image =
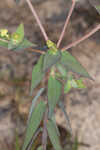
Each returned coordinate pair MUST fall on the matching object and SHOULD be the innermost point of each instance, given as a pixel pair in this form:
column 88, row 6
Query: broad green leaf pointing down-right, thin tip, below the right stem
column 71, row 64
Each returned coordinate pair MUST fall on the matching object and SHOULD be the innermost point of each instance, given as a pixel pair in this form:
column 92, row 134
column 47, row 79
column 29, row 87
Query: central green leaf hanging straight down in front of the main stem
column 54, row 92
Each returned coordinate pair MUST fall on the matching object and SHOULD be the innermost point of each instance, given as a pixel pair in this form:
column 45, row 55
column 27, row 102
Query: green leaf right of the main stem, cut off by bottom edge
column 53, row 135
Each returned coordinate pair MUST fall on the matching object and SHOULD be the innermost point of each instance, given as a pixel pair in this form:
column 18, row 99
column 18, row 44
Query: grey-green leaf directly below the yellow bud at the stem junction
column 50, row 59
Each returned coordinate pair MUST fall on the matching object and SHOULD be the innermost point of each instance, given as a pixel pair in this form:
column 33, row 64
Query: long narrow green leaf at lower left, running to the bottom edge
column 34, row 123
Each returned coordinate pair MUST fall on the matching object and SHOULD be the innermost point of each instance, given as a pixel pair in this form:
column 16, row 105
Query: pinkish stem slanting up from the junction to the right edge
column 81, row 39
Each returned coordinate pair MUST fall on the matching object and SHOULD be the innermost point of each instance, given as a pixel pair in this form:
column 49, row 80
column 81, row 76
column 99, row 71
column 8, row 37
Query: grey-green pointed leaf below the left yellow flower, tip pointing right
column 24, row 44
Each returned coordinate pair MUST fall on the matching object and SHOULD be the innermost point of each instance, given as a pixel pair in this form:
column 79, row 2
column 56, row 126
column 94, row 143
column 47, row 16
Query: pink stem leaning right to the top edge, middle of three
column 66, row 23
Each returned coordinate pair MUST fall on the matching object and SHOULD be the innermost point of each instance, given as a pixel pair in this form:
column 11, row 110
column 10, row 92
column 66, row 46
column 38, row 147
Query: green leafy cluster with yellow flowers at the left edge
column 16, row 40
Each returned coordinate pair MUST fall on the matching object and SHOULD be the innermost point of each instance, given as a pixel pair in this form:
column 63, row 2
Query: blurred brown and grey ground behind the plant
column 83, row 106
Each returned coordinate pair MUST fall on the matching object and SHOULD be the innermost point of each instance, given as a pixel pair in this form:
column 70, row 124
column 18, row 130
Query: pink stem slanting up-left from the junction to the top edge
column 37, row 19
